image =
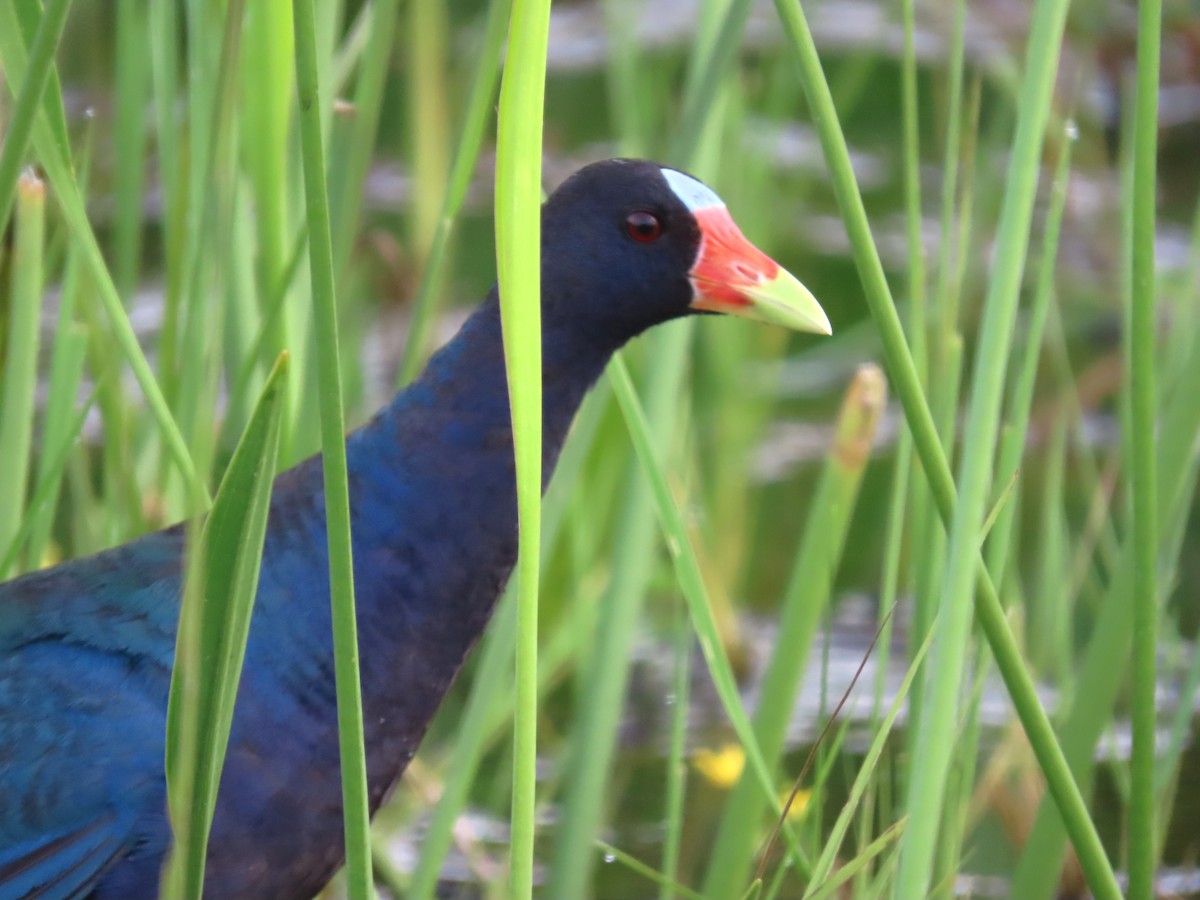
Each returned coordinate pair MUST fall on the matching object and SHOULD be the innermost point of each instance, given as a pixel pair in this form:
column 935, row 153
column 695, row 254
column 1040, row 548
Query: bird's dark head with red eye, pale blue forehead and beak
column 628, row 244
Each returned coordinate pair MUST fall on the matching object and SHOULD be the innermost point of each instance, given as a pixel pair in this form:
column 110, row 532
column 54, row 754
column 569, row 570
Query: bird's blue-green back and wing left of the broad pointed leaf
column 86, row 652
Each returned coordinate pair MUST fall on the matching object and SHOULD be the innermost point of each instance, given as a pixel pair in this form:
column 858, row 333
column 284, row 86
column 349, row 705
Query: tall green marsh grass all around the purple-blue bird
column 656, row 553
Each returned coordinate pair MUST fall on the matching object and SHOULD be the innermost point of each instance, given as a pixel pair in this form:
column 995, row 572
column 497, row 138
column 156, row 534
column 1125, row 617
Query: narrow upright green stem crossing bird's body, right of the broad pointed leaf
column 338, row 495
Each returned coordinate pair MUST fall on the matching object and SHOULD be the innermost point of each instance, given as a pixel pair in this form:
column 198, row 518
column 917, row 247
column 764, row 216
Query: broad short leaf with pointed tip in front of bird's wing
column 212, row 644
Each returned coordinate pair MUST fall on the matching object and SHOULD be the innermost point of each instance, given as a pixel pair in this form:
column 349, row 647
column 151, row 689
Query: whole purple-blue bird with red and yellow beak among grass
column 87, row 646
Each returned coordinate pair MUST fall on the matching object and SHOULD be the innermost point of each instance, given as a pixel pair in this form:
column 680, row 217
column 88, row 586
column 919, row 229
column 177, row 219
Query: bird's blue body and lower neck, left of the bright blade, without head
column 87, row 651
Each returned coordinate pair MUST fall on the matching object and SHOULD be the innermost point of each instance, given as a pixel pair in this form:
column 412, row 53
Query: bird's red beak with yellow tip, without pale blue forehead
column 734, row 277
